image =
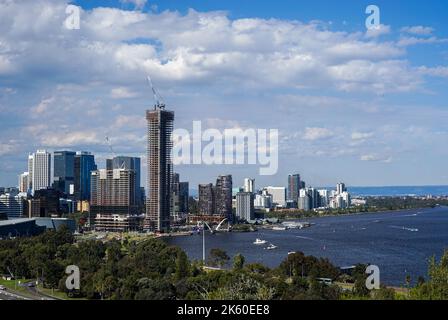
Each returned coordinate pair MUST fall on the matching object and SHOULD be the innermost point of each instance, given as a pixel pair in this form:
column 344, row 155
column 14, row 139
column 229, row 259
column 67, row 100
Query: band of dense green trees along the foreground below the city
column 154, row 270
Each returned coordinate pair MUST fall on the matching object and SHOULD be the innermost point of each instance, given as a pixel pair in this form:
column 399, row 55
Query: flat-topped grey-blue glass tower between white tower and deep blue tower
column 64, row 171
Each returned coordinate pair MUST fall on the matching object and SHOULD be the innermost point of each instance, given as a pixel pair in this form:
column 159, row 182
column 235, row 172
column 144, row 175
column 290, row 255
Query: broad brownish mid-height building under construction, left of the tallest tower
column 113, row 200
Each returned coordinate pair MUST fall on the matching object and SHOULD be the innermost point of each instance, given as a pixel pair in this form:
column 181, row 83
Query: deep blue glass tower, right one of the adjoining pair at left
column 84, row 165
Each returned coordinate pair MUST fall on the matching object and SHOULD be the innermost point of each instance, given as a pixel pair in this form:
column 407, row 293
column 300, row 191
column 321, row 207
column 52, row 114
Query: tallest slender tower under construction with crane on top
column 159, row 202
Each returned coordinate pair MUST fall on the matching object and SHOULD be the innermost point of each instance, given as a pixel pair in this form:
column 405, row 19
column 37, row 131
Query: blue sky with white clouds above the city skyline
column 365, row 107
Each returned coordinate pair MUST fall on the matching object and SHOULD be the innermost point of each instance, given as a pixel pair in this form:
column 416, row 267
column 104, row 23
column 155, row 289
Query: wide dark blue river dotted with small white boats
column 383, row 239
